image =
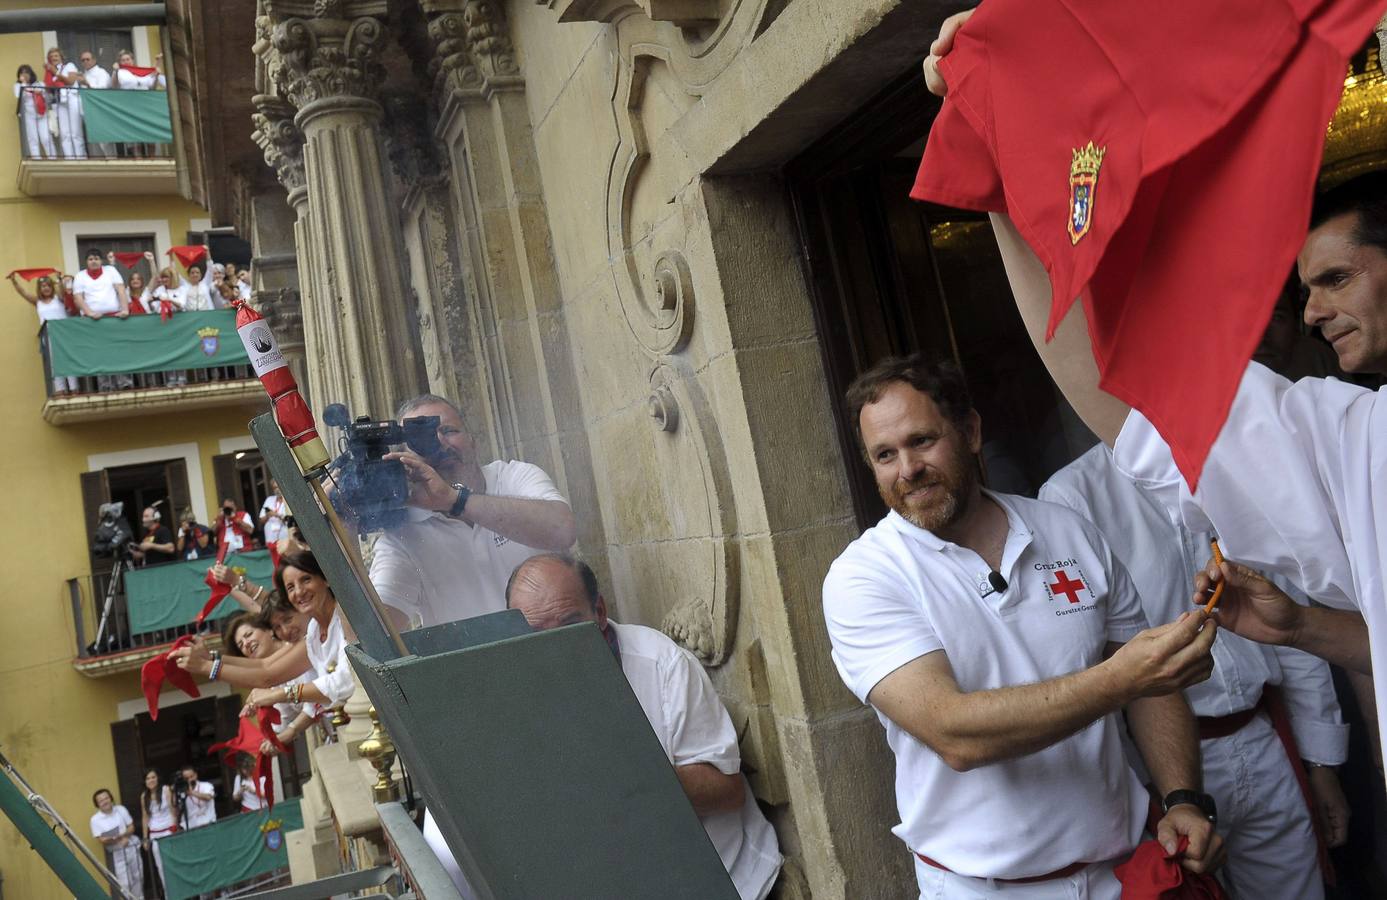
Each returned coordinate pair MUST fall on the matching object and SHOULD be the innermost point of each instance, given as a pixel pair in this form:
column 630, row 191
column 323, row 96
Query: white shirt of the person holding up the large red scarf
column 1296, row 485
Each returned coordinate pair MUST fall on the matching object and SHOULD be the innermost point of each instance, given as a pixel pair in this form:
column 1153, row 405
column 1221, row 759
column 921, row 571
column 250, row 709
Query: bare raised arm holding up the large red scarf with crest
column 1069, row 356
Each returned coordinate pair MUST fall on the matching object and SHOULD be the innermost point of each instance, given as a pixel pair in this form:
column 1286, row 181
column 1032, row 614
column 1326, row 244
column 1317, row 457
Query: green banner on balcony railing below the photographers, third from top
column 173, row 596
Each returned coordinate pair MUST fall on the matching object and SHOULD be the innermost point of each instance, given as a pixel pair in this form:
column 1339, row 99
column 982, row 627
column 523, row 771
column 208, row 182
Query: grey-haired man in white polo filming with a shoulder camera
column 471, row 528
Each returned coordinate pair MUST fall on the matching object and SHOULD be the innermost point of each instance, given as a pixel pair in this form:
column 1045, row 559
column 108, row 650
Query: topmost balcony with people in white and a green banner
column 87, row 130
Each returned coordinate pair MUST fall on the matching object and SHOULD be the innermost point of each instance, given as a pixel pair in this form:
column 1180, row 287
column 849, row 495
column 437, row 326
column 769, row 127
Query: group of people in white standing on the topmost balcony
column 51, row 107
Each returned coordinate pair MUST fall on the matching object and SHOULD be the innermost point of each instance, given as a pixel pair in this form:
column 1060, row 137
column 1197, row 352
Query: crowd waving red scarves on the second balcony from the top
column 112, row 285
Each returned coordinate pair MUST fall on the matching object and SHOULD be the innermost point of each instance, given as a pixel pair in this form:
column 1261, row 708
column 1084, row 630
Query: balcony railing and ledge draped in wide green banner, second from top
column 112, row 368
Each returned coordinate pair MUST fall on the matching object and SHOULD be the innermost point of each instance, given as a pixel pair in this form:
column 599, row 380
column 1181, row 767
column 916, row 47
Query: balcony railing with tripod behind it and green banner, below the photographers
column 119, row 628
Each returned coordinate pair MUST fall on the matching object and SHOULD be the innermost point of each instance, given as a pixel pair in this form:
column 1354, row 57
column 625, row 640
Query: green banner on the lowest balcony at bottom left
column 232, row 849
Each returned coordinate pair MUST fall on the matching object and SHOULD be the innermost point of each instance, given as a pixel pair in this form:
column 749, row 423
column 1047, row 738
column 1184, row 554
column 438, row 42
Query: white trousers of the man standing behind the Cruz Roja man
column 1263, row 816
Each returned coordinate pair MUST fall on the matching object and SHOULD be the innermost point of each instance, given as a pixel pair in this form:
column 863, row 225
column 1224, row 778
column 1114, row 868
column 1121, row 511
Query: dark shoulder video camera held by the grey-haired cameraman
column 374, row 489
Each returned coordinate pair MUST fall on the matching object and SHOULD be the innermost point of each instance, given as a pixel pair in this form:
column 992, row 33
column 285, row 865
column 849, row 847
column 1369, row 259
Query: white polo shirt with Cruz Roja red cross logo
column 899, row 593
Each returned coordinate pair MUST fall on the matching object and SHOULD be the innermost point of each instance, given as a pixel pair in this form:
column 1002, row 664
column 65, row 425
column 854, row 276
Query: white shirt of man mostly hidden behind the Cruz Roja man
column 1162, row 555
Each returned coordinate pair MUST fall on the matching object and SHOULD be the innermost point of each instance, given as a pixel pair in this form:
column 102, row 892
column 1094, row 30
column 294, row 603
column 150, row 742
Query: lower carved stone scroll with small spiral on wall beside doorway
column 703, row 623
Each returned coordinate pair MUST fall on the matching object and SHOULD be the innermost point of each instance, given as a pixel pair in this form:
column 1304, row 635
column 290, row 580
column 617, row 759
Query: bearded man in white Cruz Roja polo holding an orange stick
column 998, row 639
